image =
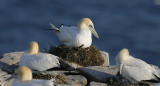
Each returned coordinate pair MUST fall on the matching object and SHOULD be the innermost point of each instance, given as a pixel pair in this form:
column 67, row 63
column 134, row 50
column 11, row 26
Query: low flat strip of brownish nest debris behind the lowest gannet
column 59, row 79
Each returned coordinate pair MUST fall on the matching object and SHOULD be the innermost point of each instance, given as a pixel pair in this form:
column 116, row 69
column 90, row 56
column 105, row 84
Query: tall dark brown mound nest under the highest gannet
column 82, row 56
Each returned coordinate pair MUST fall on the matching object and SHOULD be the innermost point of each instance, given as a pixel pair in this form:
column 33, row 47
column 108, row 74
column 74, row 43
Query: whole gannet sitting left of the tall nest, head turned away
column 36, row 60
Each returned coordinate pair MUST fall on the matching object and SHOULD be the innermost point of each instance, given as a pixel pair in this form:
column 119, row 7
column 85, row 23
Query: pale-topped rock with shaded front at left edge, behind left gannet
column 8, row 62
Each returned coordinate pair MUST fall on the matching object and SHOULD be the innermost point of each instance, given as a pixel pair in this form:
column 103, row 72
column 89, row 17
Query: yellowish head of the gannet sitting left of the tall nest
column 33, row 48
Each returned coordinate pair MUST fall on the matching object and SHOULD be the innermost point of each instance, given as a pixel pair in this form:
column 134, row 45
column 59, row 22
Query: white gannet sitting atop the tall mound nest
column 76, row 36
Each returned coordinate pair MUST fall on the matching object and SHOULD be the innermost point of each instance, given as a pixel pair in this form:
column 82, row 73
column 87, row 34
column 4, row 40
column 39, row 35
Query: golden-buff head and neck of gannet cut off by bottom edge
column 24, row 73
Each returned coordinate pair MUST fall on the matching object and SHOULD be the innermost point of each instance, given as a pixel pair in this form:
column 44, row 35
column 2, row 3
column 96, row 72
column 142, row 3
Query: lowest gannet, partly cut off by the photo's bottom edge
column 23, row 77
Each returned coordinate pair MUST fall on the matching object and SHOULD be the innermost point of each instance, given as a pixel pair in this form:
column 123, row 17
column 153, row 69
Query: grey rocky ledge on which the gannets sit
column 103, row 75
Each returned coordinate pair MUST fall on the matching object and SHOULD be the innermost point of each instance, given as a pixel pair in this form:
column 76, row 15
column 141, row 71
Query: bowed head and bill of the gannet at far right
column 121, row 57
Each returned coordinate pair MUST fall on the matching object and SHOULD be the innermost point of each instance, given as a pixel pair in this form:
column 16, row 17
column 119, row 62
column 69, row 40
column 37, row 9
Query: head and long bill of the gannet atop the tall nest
column 86, row 23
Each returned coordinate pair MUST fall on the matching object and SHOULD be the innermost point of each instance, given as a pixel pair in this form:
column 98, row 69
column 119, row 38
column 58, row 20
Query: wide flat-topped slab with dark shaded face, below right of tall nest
column 98, row 73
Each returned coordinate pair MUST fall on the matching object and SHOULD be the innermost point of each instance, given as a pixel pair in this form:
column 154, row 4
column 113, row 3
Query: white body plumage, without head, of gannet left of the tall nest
column 40, row 61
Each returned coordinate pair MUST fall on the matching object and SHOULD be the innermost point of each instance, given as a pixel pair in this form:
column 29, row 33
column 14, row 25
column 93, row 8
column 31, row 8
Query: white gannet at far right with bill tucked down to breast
column 134, row 69
